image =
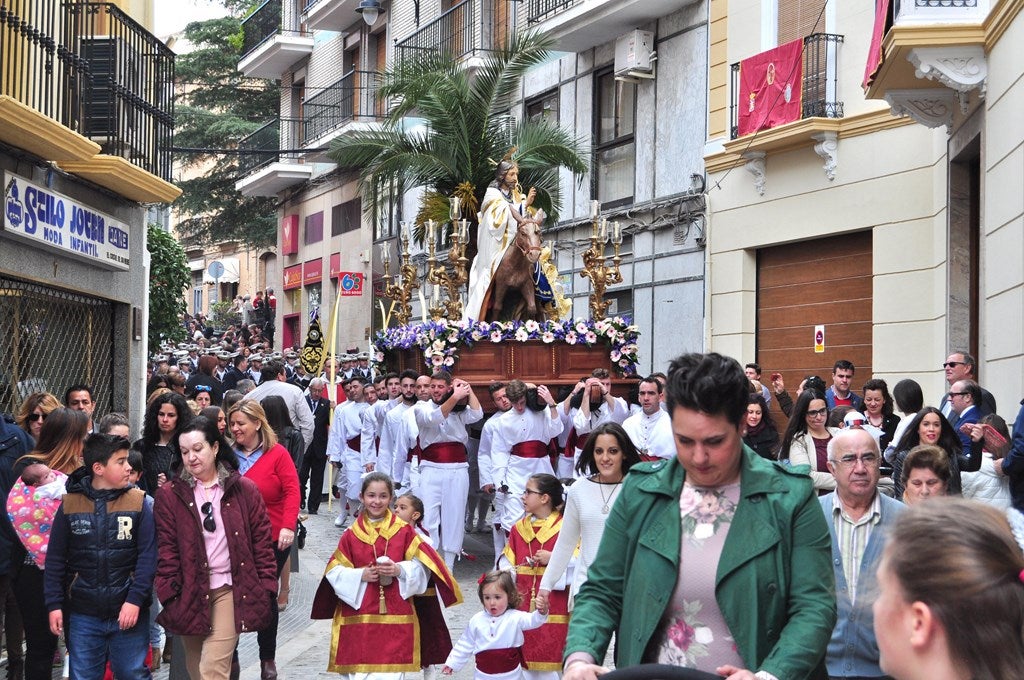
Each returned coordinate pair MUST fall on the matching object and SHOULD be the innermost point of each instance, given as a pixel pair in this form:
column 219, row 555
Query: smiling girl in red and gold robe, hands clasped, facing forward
column 380, row 565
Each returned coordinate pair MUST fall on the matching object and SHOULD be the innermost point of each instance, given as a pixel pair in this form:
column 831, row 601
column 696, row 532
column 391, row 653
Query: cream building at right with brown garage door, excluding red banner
column 875, row 227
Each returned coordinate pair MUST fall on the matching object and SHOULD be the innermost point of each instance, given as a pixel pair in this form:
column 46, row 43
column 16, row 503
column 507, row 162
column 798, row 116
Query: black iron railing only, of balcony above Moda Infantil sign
column 95, row 70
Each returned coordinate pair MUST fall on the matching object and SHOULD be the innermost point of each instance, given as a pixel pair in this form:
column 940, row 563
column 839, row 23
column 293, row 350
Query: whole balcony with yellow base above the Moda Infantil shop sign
column 78, row 79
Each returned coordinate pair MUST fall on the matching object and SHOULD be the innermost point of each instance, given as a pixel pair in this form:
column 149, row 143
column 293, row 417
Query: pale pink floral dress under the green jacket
column 693, row 632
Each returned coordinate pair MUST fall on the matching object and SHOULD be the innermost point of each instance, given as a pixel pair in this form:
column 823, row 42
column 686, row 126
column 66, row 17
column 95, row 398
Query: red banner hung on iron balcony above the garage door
column 771, row 93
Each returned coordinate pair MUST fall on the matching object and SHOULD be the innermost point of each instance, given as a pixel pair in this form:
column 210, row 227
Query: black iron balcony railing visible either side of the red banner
column 821, row 84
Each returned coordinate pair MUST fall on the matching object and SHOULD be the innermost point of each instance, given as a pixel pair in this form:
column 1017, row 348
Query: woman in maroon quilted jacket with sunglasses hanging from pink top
column 217, row 575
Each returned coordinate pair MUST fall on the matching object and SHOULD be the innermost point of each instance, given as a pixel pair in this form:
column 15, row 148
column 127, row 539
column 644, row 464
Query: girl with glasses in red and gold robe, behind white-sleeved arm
column 529, row 549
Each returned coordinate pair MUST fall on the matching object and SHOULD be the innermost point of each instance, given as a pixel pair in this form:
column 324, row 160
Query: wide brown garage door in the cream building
column 827, row 282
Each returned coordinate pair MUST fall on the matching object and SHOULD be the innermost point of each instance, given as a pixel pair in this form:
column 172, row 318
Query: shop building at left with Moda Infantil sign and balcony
column 87, row 126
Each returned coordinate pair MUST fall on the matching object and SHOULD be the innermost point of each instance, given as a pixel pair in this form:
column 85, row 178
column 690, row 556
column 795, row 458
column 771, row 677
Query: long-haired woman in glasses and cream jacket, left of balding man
column 806, row 439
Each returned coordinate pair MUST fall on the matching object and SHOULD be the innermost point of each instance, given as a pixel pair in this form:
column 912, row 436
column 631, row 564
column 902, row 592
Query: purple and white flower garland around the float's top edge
column 441, row 342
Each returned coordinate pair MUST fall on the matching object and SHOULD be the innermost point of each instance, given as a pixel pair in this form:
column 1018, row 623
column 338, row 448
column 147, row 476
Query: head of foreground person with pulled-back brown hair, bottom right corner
column 951, row 570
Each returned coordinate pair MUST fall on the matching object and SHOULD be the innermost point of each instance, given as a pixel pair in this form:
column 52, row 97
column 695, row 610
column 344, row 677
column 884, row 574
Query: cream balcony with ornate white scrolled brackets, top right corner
column 931, row 60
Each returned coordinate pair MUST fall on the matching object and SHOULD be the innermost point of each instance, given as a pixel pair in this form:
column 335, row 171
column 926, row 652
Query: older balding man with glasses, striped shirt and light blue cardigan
column 859, row 518
